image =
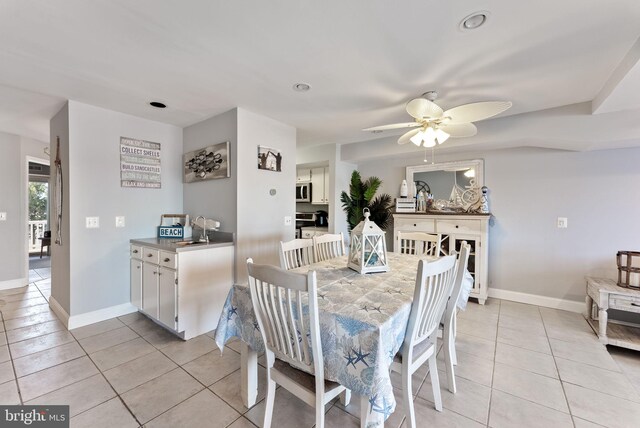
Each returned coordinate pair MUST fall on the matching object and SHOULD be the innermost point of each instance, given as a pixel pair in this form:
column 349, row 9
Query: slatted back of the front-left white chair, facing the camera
column 278, row 300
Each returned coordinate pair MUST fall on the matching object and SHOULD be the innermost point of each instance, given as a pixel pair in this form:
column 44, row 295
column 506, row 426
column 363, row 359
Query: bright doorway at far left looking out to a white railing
column 39, row 231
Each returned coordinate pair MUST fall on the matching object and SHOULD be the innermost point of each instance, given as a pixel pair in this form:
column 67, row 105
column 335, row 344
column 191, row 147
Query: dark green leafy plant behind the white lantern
column 362, row 195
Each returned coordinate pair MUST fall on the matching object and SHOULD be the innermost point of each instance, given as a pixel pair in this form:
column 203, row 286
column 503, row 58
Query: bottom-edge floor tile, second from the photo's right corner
column 508, row 411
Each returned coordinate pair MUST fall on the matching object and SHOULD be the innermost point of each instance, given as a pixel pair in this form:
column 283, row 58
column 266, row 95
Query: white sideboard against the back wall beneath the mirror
column 454, row 228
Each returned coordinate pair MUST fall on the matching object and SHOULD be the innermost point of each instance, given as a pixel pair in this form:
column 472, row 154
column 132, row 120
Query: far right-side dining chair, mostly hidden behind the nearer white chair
column 449, row 319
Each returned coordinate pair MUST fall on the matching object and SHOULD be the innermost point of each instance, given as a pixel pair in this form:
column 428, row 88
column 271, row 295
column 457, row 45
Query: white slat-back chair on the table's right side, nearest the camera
column 434, row 284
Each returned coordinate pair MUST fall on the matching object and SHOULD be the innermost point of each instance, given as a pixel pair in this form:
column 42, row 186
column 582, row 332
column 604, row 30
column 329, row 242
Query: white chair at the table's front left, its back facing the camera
column 294, row 360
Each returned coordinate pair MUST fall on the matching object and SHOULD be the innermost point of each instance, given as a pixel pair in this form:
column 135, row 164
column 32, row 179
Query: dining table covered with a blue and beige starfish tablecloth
column 363, row 320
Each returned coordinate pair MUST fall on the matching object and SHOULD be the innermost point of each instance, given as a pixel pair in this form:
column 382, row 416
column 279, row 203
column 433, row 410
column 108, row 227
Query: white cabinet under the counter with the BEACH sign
column 183, row 289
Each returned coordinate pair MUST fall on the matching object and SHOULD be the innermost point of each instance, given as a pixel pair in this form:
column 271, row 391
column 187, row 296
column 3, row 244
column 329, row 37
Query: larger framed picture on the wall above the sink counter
column 206, row 164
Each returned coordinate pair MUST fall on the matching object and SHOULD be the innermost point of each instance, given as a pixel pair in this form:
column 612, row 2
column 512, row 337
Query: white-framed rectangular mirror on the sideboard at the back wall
column 449, row 186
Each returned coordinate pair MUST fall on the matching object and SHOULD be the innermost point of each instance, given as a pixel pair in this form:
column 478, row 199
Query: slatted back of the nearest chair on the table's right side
column 434, row 284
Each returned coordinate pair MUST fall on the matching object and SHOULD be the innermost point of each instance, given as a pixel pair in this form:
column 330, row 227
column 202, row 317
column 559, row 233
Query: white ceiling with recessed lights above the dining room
column 364, row 59
